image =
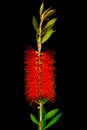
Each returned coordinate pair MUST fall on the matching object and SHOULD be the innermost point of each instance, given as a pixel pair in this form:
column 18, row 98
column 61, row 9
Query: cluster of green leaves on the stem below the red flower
column 51, row 115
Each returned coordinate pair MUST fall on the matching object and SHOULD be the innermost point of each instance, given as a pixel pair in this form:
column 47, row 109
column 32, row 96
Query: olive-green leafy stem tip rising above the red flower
column 43, row 33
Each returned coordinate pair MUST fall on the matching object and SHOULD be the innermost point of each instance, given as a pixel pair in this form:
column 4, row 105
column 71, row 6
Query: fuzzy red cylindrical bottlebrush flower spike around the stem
column 39, row 75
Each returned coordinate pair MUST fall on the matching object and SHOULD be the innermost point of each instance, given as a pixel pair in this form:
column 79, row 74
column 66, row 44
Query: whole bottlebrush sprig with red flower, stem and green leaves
column 40, row 71
